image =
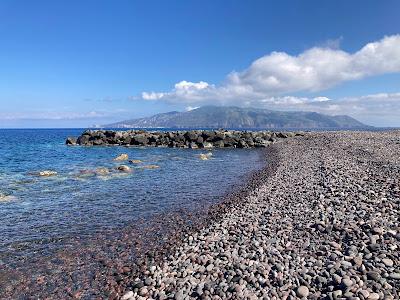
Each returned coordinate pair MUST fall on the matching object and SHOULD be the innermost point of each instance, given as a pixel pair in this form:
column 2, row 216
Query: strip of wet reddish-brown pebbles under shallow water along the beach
column 83, row 257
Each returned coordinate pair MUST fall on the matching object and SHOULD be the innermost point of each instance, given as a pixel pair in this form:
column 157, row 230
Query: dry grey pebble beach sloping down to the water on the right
column 321, row 223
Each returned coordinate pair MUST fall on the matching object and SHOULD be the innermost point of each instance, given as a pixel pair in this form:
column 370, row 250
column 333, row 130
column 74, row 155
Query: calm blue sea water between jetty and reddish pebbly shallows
column 38, row 213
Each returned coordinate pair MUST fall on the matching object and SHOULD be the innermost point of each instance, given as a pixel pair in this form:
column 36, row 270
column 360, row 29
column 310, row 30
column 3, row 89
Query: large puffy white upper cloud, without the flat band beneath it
column 279, row 73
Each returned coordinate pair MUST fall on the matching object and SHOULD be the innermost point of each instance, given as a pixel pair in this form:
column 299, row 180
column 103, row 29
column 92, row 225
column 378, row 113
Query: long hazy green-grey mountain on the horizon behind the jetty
column 235, row 117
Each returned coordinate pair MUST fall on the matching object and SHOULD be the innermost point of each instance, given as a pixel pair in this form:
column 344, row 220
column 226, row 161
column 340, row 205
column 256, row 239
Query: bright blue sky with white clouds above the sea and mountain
column 80, row 63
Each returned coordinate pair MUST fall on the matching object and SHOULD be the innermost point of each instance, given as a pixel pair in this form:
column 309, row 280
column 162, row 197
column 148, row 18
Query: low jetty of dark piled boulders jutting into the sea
column 181, row 139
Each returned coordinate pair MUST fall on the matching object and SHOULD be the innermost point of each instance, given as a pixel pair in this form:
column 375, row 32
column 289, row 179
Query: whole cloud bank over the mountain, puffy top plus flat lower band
column 272, row 80
